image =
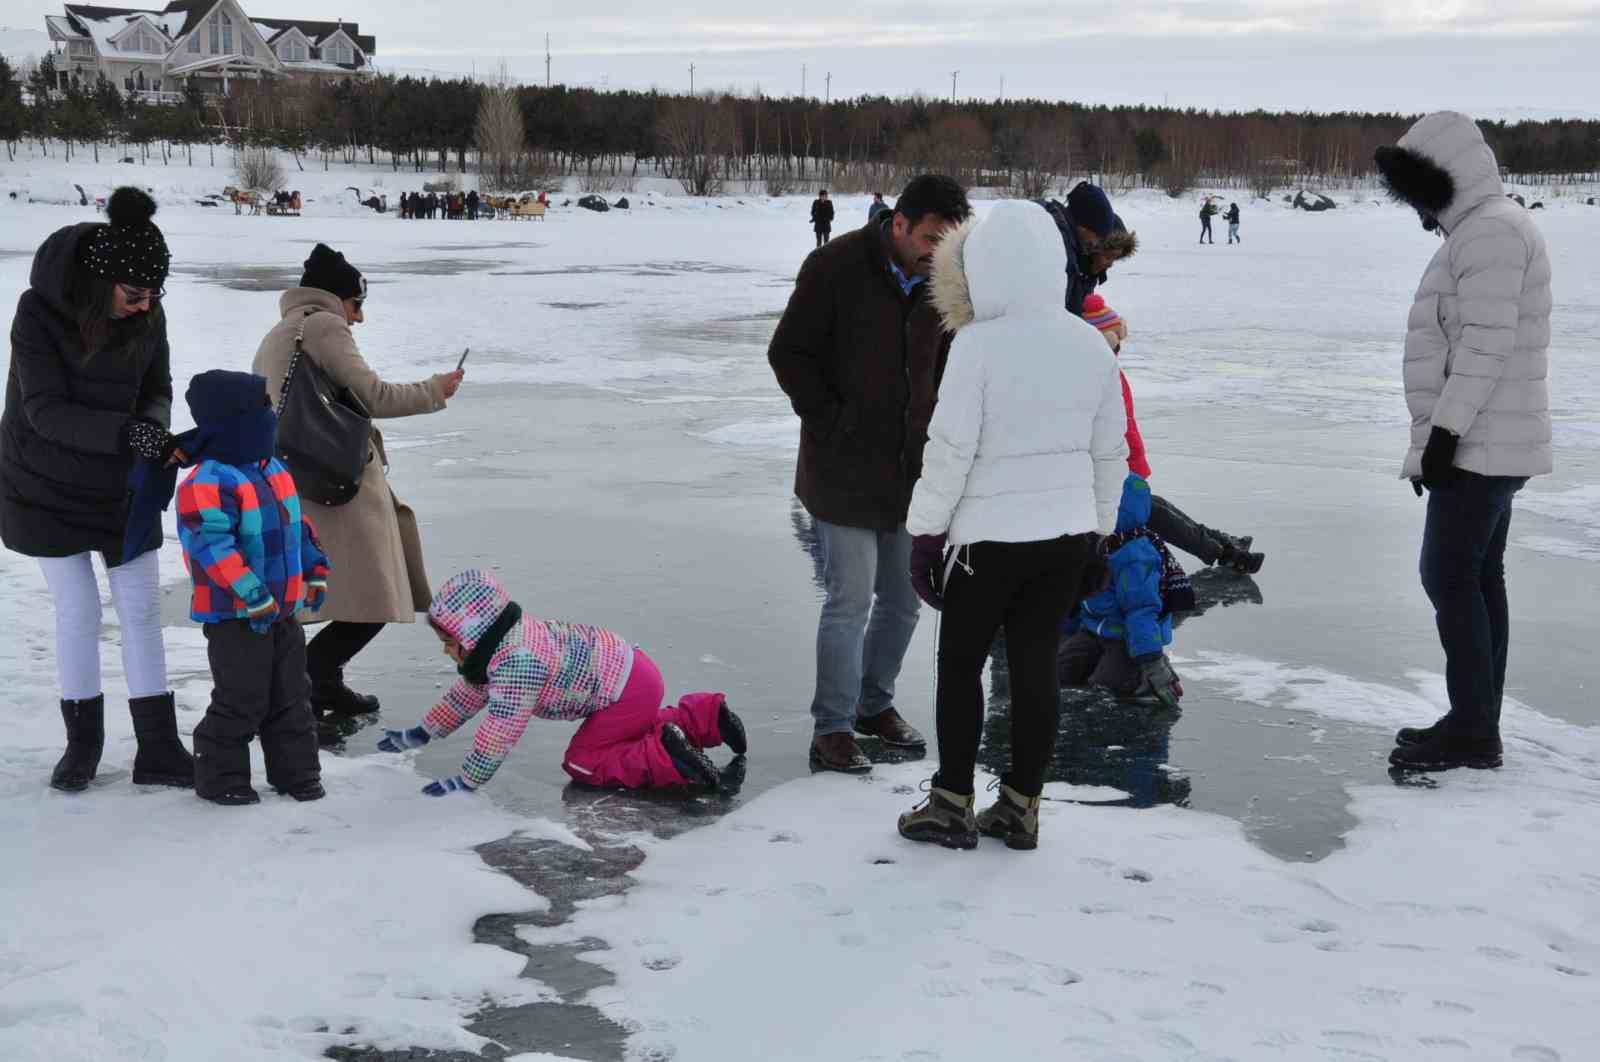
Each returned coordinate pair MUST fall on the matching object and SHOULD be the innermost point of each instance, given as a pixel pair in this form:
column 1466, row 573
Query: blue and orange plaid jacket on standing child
column 246, row 541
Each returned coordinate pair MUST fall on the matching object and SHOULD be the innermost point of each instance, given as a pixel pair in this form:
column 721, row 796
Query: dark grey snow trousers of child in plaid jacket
column 262, row 692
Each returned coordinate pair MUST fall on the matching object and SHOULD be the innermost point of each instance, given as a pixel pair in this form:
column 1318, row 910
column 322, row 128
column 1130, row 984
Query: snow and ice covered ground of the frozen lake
column 622, row 453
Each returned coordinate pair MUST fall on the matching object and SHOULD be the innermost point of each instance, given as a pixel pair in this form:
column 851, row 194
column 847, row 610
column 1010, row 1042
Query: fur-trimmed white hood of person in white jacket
column 1004, row 265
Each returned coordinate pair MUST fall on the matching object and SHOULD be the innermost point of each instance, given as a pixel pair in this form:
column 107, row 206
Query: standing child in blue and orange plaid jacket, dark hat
column 255, row 562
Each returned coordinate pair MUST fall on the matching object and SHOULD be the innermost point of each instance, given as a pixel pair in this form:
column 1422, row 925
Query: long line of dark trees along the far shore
column 780, row 145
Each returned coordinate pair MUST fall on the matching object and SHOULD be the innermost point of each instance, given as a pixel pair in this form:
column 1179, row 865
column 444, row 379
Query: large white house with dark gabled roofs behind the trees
column 156, row 54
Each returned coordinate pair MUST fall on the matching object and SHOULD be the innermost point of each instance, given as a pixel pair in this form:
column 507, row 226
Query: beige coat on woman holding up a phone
column 372, row 541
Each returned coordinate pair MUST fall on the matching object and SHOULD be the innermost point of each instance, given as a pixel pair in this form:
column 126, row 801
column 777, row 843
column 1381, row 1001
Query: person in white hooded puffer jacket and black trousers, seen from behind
column 1025, row 463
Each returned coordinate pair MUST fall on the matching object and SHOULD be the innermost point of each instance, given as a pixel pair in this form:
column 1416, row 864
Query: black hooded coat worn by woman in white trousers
column 63, row 461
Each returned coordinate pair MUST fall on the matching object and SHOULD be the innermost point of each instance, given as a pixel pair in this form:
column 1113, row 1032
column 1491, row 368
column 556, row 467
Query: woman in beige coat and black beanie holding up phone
column 374, row 543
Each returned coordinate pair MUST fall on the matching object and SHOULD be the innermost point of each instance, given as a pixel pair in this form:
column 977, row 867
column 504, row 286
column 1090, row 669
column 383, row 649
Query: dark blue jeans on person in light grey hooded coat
column 1465, row 577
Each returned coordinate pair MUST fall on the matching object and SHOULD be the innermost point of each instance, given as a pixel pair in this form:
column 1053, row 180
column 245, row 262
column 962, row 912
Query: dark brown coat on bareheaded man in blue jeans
column 860, row 362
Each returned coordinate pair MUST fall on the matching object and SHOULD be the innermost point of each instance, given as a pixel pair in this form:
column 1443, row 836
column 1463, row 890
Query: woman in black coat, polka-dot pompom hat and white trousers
column 90, row 388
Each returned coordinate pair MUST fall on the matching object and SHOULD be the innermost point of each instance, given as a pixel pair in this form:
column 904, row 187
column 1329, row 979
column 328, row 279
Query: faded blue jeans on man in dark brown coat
column 868, row 621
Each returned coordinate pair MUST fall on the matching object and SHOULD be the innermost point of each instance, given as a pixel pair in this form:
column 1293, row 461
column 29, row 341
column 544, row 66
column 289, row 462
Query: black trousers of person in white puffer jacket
column 1028, row 588
